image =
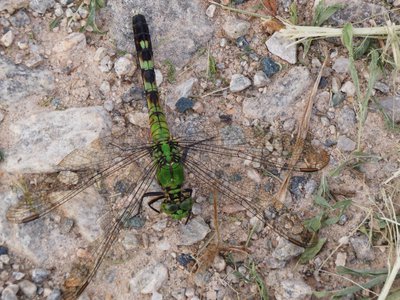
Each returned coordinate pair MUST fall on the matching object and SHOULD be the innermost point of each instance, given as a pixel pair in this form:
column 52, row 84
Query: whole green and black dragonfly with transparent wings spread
column 165, row 157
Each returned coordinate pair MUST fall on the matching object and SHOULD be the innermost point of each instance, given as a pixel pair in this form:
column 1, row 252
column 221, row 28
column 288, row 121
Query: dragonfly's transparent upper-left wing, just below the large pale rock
column 77, row 171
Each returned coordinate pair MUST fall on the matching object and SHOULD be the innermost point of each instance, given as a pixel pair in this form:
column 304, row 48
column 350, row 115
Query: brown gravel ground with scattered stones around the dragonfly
column 63, row 88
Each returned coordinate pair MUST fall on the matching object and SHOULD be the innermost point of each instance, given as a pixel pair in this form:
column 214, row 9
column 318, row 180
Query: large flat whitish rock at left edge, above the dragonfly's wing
column 58, row 132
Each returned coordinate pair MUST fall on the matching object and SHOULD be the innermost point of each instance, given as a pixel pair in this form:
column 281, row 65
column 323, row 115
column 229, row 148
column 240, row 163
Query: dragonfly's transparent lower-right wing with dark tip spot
column 247, row 187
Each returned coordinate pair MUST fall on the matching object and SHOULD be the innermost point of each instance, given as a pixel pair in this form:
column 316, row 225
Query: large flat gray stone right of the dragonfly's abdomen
column 280, row 96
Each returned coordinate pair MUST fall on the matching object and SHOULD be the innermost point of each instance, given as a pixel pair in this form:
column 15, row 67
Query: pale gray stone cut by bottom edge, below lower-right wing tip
column 293, row 289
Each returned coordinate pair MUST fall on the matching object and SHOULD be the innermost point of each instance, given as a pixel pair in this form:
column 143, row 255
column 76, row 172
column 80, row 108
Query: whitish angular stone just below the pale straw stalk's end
column 282, row 47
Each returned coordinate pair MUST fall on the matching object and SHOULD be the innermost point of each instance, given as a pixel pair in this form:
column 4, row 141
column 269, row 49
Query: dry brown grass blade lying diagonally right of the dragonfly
column 301, row 136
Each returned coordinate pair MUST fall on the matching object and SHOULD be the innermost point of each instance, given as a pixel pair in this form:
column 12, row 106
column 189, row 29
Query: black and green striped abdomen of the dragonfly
column 158, row 125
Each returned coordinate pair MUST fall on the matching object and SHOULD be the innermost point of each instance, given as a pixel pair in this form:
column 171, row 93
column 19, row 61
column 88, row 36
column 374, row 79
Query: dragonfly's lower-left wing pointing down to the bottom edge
column 85, row 269
